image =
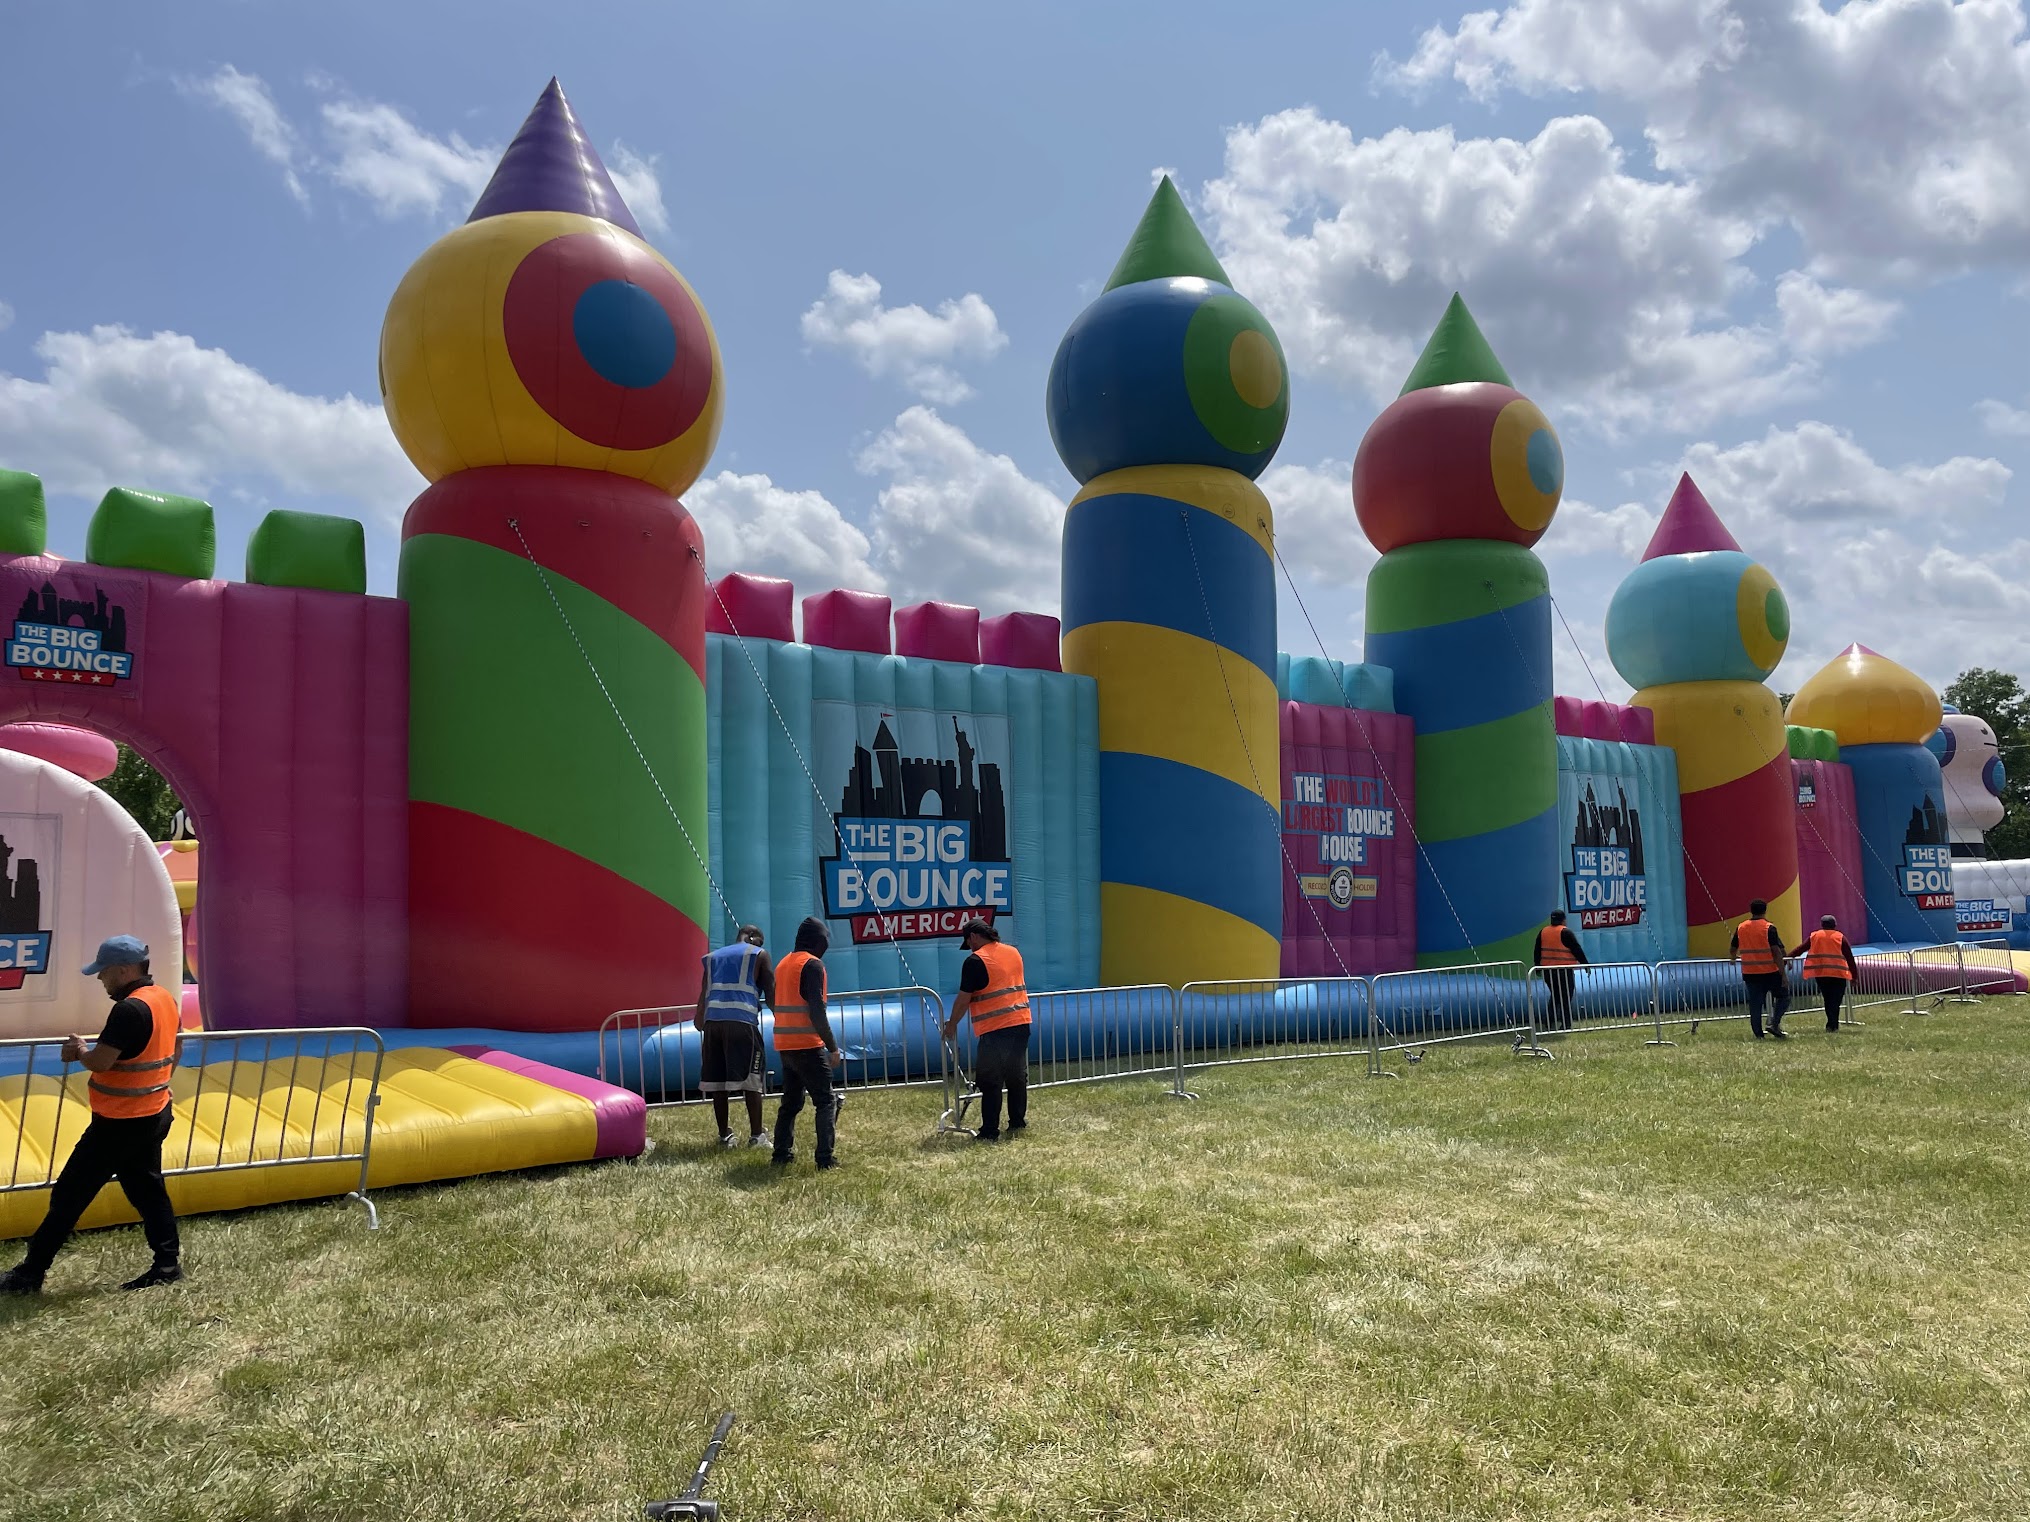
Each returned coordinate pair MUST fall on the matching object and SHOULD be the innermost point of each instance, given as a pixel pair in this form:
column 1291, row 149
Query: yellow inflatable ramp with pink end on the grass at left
column 243, row 1125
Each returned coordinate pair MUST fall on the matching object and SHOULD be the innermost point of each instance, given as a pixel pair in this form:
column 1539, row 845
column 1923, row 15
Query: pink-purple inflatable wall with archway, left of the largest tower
column 279, row 715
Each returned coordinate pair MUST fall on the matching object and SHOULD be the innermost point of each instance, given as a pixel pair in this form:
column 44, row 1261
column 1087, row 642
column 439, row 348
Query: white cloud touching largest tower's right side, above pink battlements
column 756, row 527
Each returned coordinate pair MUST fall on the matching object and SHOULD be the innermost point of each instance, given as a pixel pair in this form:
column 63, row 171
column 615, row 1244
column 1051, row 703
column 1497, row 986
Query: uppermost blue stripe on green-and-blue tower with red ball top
column 1471, row 673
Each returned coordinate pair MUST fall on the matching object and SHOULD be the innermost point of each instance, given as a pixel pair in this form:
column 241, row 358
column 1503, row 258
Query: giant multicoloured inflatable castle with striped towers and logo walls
column 576, row 752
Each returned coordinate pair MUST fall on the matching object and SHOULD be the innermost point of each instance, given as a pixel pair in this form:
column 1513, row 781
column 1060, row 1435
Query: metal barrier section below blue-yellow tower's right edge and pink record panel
column 1272, row 1020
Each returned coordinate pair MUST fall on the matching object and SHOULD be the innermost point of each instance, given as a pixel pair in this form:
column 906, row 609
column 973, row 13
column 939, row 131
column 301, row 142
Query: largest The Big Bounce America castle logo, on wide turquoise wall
column 923, row 839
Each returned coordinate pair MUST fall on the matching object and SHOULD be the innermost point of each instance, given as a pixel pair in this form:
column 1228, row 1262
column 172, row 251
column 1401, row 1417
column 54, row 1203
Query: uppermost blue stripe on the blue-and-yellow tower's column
column 1128, row 561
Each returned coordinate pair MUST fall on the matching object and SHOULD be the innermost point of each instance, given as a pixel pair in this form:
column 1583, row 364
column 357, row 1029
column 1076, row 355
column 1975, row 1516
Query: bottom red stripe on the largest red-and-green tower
column 573, row 947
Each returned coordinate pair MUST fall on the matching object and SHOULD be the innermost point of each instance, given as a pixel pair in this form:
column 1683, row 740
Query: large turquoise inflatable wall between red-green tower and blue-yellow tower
column 898, row 799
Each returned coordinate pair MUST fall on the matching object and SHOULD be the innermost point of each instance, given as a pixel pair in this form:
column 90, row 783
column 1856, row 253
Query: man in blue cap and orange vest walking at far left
column 131, row 1111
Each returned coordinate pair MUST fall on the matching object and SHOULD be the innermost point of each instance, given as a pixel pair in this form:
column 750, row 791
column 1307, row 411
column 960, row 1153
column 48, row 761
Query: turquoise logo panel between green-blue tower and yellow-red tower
column 1621, row 849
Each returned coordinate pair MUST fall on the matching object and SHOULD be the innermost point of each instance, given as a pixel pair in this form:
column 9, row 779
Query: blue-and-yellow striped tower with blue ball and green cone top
column 1168, row 399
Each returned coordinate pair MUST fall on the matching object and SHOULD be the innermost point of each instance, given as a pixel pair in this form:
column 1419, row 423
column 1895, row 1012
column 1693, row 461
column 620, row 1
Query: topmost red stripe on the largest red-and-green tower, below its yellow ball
column 616, row 537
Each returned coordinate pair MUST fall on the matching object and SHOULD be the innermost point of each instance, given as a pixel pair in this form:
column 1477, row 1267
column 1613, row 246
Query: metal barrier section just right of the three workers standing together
column 1081, row 1036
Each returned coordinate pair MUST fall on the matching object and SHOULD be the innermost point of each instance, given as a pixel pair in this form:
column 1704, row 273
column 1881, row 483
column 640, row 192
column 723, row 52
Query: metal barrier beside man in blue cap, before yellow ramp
column 243, row 1101
